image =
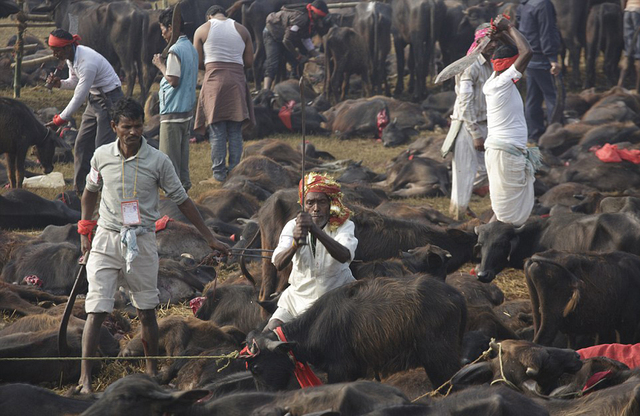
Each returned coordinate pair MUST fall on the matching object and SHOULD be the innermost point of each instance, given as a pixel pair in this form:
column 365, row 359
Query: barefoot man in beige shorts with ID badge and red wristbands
column 129, row 173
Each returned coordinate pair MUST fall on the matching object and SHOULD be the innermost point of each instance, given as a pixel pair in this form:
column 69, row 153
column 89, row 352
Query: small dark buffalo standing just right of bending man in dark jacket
column 345, row 54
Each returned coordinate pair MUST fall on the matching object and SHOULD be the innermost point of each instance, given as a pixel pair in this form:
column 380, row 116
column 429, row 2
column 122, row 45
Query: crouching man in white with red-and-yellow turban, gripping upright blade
column 322, row 263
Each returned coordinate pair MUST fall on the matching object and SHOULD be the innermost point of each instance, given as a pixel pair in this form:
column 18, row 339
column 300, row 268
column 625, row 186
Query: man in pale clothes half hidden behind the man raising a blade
column 469, row 129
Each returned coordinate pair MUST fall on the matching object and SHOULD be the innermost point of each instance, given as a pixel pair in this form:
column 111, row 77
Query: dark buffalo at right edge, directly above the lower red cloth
column 590, row 294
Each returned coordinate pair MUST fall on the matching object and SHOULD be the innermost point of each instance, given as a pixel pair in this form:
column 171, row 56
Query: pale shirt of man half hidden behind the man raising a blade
column 470, row 106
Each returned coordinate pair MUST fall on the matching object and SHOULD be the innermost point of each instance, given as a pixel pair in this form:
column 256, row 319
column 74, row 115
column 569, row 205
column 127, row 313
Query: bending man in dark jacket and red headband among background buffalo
column 288, row 34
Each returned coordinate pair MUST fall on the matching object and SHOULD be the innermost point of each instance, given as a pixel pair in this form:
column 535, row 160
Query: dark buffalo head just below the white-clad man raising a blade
column 496, row 243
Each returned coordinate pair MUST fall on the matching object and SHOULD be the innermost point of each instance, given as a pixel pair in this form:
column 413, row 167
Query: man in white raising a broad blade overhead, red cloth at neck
column 510, row 164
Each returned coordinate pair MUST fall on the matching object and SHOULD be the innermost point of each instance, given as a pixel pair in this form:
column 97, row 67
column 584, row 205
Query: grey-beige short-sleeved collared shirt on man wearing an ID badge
column 141, row 175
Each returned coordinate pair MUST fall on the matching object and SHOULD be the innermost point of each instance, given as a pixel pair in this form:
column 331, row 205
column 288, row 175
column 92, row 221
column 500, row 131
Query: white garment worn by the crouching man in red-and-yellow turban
column 313, row 276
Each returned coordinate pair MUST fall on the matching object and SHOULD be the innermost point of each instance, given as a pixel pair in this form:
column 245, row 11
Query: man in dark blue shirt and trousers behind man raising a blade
column 537, row 22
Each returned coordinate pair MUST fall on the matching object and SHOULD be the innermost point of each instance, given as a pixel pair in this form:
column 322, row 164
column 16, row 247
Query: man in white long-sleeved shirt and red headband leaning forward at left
column 90, row 75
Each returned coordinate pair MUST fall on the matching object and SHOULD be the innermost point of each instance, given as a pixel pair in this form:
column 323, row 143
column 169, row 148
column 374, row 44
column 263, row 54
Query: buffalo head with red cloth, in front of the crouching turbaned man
column 268, row 360
